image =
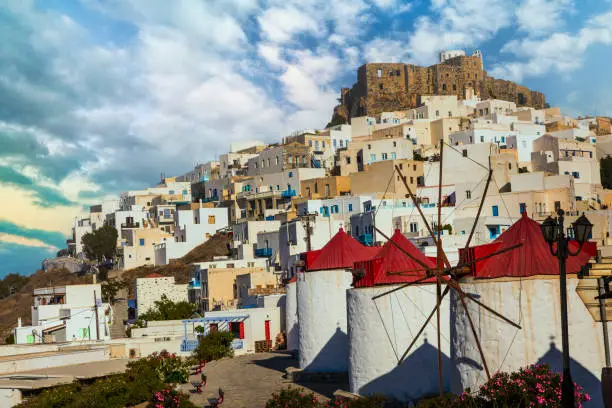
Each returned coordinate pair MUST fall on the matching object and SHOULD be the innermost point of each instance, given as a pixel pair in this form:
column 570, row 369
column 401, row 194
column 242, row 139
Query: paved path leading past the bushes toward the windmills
column 249, row 381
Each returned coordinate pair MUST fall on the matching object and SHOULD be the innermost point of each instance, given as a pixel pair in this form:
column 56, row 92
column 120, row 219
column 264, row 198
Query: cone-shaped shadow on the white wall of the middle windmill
column 416, row 377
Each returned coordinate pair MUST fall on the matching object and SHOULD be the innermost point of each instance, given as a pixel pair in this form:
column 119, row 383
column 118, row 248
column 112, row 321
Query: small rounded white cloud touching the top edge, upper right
column 541, row 16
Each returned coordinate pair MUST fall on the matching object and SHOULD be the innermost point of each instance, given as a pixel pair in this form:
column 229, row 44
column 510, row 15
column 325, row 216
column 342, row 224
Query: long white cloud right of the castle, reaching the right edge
column 558, row 52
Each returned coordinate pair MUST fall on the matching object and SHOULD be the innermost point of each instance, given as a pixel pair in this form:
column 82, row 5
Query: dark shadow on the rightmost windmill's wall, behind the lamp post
column 580, row 375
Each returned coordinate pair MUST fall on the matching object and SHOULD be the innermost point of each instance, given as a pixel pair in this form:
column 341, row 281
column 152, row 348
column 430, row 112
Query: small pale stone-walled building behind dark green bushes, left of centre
column 151, row 288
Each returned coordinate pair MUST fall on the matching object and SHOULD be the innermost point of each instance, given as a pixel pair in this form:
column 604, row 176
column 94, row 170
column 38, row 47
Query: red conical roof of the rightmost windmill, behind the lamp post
column 530, row 259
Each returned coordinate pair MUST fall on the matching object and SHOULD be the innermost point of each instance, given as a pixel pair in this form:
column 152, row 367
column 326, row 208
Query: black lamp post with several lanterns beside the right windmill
column 554, row 232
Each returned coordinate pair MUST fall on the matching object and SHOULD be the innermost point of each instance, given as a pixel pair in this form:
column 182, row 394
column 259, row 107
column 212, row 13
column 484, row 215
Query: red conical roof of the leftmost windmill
column 339, row 253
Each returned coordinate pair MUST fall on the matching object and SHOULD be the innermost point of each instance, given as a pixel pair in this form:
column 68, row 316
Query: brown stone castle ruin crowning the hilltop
column 386, row 87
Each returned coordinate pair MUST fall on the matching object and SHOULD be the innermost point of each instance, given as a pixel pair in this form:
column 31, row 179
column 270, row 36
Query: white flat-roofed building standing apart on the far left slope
column 65, row 314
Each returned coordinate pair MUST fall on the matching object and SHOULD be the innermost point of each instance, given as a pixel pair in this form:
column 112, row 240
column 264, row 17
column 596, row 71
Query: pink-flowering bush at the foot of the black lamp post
column 531, row 386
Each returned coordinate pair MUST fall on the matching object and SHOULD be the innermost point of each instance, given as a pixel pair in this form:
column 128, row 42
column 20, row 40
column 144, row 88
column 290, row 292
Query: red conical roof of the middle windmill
column 391, row 259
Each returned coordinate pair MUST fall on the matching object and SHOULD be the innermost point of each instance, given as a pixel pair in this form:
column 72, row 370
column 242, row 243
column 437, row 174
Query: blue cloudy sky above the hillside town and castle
column 101, row 96
